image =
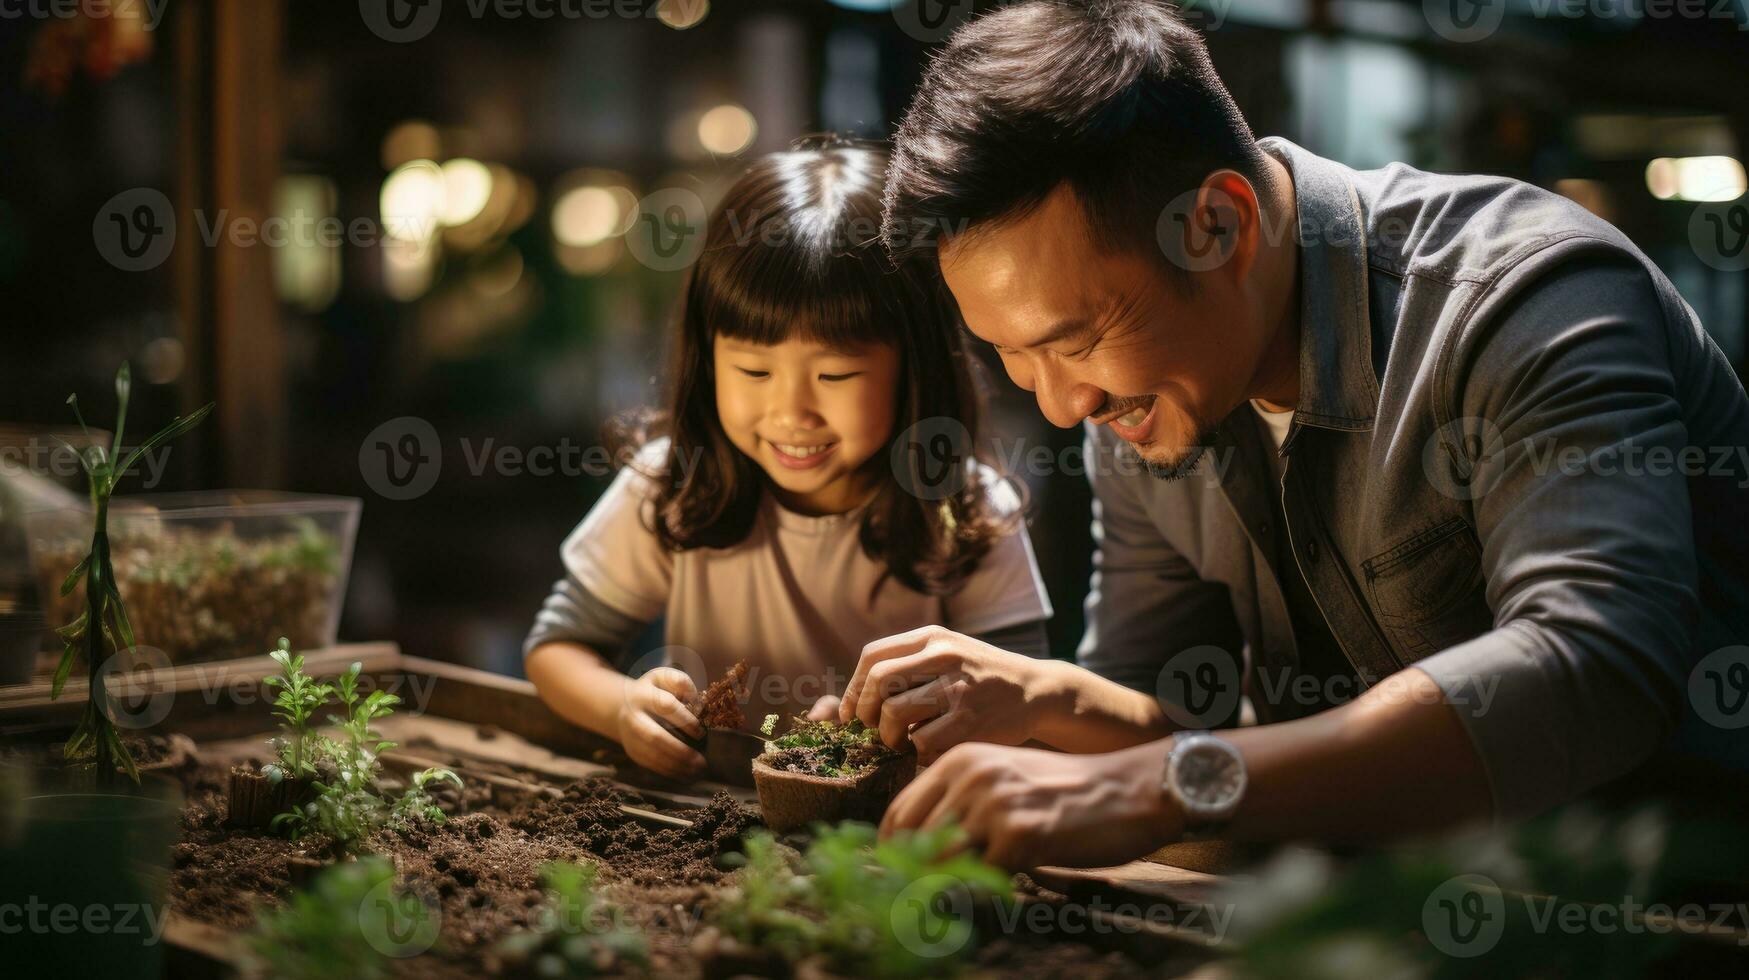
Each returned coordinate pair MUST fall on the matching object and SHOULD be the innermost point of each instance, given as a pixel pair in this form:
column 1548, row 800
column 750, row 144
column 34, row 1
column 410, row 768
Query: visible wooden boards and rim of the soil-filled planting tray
column 503, row 734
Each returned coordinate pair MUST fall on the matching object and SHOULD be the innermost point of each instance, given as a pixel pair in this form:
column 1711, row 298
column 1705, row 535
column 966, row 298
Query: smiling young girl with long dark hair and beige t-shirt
column 770, row 522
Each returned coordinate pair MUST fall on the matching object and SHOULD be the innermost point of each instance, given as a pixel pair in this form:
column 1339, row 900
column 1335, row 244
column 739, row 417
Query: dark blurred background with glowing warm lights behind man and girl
column 330, row 218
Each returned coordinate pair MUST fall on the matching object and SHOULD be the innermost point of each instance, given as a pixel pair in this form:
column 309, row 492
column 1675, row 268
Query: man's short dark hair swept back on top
column 1115, row 97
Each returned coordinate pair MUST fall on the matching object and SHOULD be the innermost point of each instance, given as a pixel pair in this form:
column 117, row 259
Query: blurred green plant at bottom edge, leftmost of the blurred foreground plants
column 349, row 923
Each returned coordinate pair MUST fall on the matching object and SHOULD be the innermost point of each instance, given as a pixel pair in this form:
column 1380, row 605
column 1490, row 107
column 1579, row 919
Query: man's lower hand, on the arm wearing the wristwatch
column 1031, row 808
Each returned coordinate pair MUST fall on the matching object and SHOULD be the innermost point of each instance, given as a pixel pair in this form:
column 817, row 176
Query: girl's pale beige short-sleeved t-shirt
column 793, row 599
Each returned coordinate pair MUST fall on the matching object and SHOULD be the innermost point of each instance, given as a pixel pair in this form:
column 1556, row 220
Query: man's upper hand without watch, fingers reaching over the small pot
column 952, row 687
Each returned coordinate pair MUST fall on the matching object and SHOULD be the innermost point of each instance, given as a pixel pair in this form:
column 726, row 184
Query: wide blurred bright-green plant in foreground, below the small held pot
column 860, row 902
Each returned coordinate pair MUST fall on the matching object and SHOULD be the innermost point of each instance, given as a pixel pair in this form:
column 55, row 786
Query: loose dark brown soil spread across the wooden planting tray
column 482, row 869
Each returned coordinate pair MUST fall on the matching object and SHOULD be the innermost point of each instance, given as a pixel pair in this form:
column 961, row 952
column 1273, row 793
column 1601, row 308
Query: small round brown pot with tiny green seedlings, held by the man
column 821, row 771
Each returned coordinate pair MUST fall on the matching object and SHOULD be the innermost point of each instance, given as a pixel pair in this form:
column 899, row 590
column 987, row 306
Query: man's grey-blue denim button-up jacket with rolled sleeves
column 1519, row 465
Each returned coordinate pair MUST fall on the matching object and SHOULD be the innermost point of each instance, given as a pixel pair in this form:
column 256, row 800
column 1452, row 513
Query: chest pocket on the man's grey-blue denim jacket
column 1428, row 592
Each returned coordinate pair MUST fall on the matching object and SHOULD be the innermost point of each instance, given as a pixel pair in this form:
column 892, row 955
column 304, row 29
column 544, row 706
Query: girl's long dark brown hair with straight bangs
column 795, row 251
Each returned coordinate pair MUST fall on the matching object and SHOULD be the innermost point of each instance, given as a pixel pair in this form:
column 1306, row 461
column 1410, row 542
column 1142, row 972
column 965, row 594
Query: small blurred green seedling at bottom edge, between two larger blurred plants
column 576, row 934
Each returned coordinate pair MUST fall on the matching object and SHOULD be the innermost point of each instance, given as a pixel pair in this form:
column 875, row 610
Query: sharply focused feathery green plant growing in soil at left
column 344, row 771
